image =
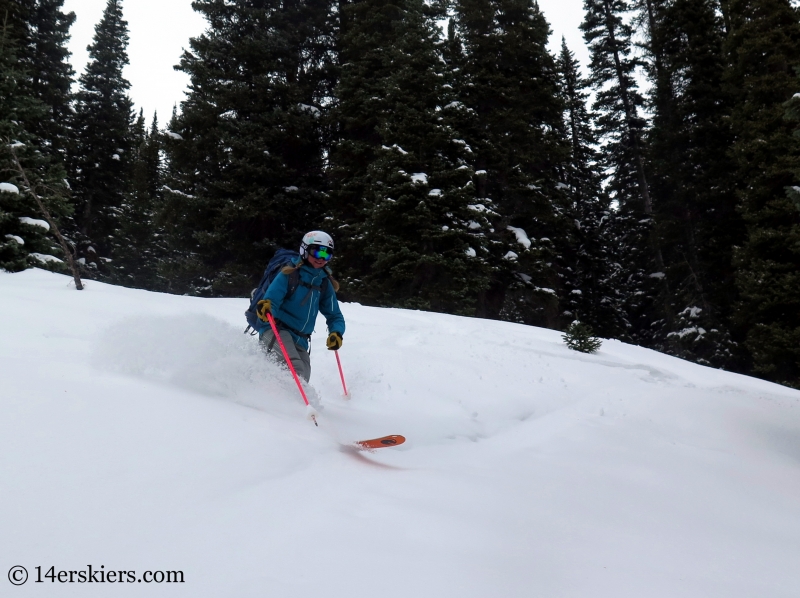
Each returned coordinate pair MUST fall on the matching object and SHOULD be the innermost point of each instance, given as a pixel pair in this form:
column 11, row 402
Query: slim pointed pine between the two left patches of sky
column 103, row 117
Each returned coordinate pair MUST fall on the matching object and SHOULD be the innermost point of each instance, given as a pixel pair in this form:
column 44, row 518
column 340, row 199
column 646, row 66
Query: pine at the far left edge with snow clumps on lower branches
column 24, row 240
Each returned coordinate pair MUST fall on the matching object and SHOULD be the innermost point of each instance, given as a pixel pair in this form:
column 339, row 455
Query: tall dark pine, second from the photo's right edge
column 693, row 199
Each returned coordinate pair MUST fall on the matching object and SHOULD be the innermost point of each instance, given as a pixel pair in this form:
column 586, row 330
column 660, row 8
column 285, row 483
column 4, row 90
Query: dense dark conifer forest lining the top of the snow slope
column 460, row 165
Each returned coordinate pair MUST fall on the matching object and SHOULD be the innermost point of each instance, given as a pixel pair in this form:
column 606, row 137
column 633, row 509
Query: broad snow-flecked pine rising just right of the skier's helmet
column 402, row 182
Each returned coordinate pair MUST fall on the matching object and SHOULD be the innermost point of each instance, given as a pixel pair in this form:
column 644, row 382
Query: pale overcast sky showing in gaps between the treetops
column 160, row 29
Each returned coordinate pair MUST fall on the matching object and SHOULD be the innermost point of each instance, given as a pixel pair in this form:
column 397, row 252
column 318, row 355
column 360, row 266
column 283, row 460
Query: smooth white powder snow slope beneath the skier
column 141, row 431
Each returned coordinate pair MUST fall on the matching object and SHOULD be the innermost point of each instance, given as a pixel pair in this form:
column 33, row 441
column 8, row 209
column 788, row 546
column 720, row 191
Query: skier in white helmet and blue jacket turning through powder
column 298, row 293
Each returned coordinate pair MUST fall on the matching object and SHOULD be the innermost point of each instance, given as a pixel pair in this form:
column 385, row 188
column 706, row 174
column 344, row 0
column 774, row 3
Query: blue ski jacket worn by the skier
column 300, row 310
